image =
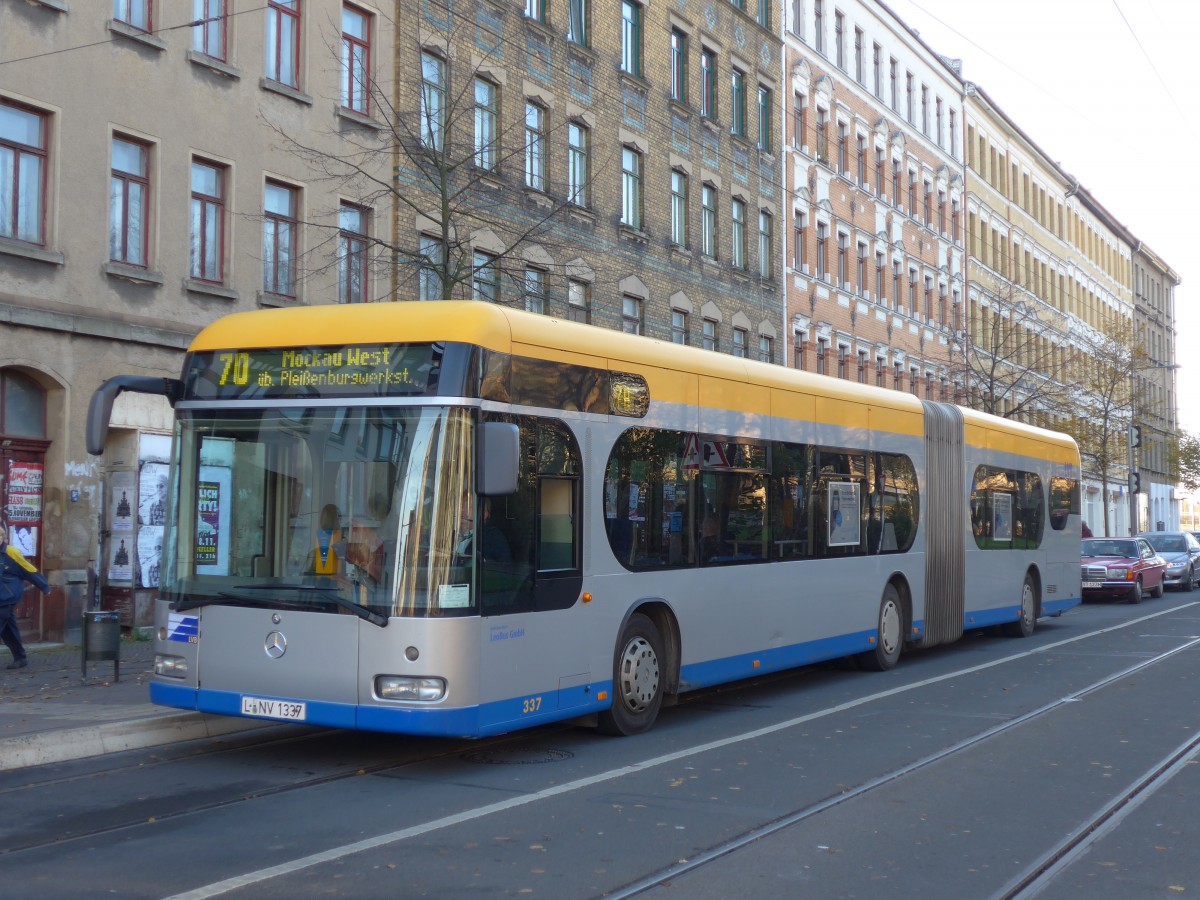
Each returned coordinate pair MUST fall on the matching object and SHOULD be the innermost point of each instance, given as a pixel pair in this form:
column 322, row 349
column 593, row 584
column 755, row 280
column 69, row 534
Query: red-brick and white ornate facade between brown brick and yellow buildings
column 877, row 274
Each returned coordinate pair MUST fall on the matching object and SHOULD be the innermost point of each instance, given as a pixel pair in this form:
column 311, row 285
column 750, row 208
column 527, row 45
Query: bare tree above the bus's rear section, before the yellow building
column 1010, row 358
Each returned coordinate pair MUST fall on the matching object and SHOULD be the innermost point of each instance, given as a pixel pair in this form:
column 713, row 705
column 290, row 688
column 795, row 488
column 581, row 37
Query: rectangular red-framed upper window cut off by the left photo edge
column 23, row 154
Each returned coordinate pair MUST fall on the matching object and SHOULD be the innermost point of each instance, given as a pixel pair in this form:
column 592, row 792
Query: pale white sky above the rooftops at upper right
column 1108, row 89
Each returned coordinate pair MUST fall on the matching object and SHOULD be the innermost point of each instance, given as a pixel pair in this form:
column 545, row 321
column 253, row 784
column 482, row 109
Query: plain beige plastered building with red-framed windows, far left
column 137, row 211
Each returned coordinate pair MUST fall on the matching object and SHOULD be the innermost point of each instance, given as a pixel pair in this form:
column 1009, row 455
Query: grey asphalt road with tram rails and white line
column 1058, row 766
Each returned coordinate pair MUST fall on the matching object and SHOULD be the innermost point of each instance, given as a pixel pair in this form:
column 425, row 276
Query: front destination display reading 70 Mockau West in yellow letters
column 358, row 370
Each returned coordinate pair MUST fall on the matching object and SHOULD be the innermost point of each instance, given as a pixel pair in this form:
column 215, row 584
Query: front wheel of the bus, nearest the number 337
column 638, row 680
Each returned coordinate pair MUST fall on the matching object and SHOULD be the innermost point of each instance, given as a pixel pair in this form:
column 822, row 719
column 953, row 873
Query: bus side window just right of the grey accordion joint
column 1007, row 509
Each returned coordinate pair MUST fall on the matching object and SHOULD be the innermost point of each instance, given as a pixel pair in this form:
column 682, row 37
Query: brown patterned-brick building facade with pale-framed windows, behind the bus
column 619, row 163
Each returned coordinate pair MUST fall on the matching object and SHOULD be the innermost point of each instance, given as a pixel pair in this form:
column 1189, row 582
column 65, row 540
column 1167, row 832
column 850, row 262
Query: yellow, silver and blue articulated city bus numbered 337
column 457, row 519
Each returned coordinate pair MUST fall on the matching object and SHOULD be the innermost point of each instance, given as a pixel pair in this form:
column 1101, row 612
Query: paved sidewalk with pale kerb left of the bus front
column 51, row 713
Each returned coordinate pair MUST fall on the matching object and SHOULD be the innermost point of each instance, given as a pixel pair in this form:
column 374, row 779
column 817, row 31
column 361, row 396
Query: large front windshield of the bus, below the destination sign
column 329, row 509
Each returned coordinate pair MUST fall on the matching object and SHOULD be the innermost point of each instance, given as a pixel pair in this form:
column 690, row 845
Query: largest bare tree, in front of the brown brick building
column 446, row 148
